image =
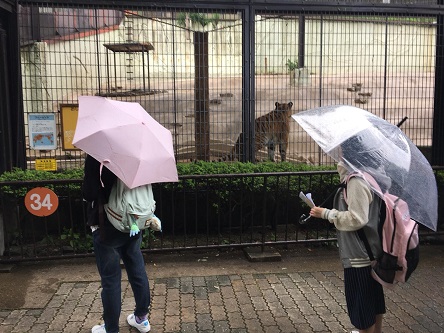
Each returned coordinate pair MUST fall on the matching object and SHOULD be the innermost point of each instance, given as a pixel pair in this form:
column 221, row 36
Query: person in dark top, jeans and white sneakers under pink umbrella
column 111, row 245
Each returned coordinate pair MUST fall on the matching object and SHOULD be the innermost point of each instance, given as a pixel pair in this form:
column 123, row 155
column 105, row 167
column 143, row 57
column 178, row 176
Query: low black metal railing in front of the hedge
column 198, row 212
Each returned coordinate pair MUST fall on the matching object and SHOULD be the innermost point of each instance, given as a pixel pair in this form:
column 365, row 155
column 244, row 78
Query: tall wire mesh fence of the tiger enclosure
column 225, row 79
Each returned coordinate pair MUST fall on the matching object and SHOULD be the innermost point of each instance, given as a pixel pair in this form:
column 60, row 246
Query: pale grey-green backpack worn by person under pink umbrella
column 128, row 208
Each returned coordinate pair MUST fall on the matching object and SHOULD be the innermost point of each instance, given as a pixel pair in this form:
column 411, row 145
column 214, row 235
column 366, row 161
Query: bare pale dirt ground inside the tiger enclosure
column 173, row 106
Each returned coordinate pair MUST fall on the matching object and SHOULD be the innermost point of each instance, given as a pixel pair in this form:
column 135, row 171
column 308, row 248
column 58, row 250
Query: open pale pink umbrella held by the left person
column 126, row 139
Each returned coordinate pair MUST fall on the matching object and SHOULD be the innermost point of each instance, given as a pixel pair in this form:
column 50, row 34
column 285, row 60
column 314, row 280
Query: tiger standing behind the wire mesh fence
column 270, row 130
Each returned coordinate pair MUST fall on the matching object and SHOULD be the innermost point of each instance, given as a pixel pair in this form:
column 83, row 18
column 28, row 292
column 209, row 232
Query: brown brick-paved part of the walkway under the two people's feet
column 280, row 302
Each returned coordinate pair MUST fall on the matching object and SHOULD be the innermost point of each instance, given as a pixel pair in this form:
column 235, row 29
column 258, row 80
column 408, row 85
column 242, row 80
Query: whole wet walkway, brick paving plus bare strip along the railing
column 212, row 292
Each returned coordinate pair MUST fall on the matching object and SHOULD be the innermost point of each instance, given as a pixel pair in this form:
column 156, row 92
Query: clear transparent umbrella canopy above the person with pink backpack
column 370, row 144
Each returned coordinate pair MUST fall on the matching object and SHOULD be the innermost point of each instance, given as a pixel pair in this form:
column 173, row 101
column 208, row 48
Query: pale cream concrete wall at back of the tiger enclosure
column 58, row 71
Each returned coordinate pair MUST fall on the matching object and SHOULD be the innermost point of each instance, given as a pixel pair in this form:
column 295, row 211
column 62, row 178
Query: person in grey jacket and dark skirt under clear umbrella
column 364, row 295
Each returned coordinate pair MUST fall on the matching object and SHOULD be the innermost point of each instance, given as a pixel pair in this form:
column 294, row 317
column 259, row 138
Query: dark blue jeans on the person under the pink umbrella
column 108, row 255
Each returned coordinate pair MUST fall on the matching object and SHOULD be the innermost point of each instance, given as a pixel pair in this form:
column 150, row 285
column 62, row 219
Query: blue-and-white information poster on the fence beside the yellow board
column 42, row 131
